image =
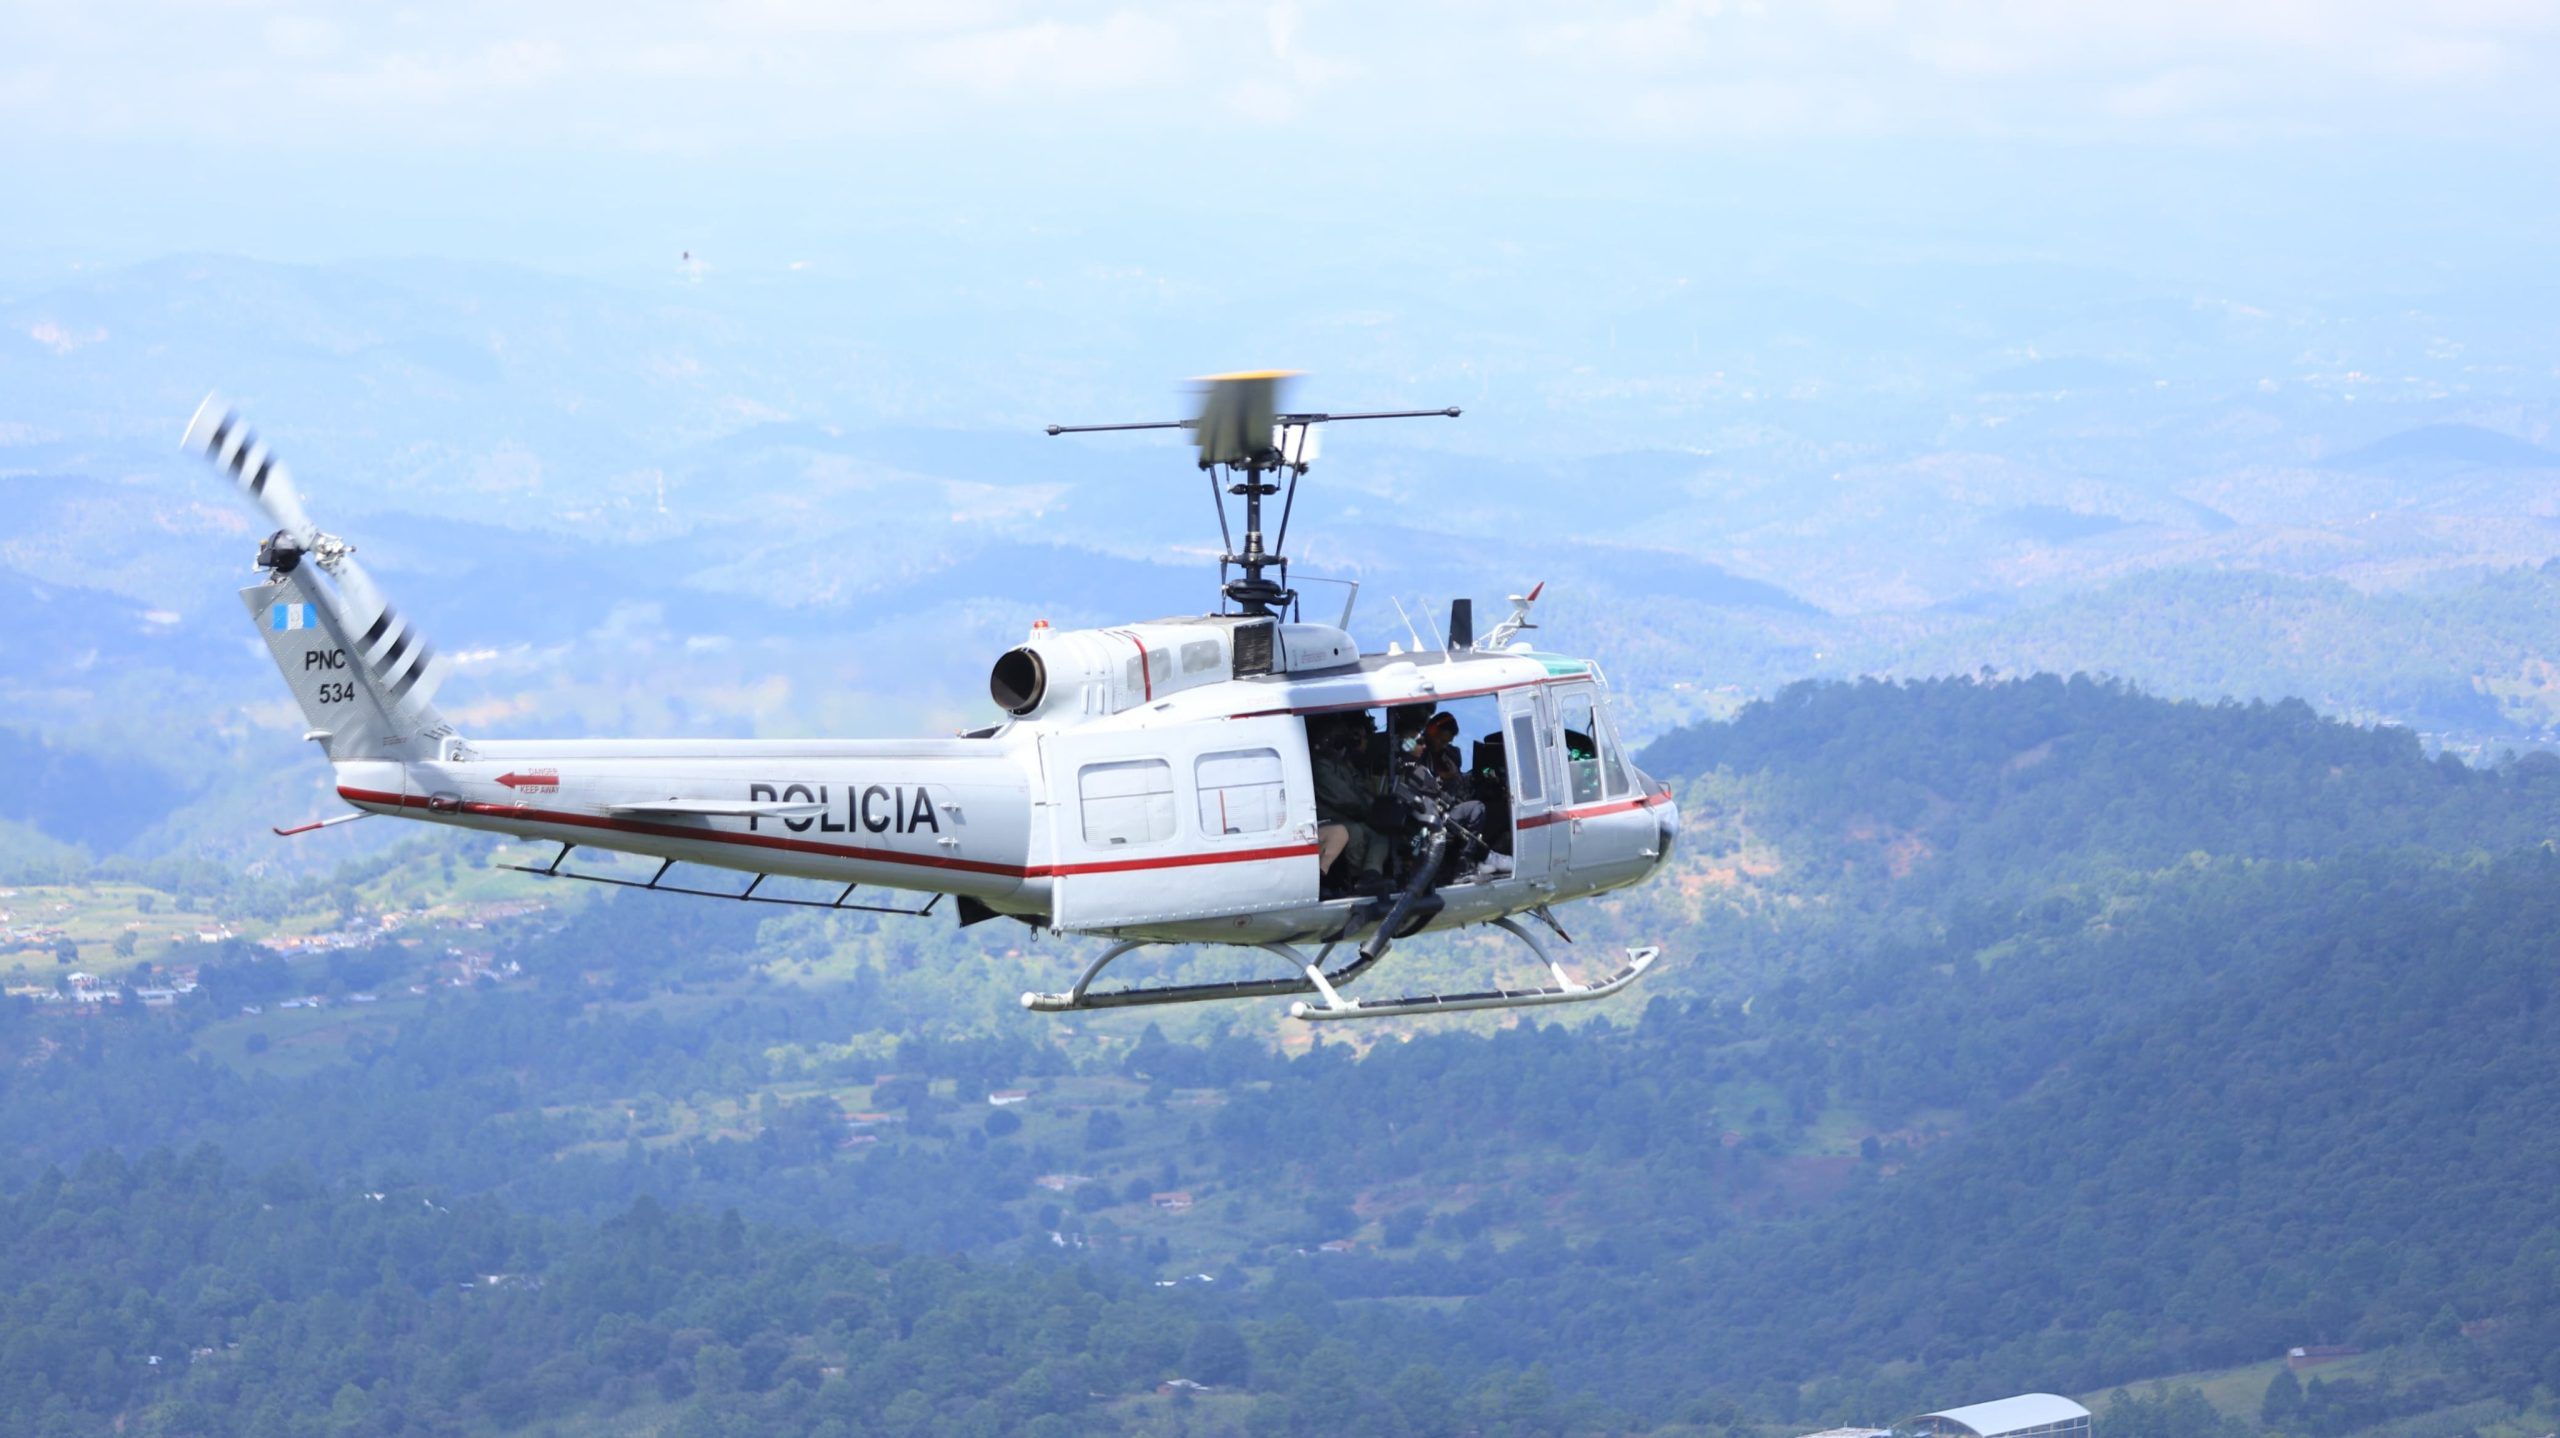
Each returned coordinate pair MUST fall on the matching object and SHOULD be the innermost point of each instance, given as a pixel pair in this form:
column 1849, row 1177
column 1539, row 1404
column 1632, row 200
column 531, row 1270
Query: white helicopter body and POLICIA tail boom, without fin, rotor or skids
column 1181, row 818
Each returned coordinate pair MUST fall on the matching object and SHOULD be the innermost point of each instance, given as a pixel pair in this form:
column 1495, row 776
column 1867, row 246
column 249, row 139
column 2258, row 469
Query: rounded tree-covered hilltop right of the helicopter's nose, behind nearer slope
column 2049, row 779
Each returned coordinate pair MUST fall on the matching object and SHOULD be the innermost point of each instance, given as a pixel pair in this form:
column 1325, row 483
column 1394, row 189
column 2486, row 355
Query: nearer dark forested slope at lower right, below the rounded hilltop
column 2254, row 1109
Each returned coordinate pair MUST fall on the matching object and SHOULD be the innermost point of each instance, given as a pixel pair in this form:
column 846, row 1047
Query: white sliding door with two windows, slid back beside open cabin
column 1181, row 825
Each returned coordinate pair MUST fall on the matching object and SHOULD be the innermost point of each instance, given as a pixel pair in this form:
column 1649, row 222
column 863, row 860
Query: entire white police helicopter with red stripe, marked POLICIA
column 1235, row 779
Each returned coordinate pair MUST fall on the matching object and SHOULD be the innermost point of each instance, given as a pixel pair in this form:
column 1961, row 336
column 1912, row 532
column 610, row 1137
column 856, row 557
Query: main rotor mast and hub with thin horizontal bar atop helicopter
column 1256, row 452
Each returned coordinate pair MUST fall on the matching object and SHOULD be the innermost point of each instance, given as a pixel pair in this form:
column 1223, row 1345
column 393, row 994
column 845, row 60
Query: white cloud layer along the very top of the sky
column 815, row 73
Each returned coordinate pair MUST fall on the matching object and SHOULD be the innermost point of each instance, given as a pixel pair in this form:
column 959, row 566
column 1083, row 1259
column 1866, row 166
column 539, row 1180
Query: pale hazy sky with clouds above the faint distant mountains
column 585, row 134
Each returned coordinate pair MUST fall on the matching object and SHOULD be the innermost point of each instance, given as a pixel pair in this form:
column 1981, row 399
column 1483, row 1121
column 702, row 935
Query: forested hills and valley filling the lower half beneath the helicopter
column 2026, row 1035
